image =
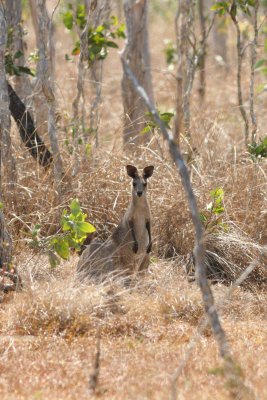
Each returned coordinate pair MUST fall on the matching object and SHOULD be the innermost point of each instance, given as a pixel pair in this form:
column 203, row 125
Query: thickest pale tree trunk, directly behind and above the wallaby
column 136, row 53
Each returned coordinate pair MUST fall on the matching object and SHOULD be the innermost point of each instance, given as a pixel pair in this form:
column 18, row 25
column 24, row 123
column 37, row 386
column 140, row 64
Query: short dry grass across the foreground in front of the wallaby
column 49, row 334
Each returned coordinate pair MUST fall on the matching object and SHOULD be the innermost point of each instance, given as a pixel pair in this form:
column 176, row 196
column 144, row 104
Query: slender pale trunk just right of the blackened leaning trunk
column 45, row 82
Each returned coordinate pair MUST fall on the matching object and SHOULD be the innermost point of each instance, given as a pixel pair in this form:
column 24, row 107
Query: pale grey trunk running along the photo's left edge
column 6, row 146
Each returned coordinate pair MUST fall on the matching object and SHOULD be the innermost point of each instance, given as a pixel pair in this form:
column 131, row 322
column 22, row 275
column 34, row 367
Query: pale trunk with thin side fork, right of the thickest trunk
column 191, row 55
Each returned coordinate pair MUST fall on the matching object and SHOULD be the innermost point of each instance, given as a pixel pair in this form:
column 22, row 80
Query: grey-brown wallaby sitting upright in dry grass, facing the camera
column 126, row 250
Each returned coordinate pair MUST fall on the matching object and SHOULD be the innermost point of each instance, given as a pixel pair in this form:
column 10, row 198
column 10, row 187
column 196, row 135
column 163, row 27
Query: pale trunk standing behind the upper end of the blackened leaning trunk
column 14, row 22
